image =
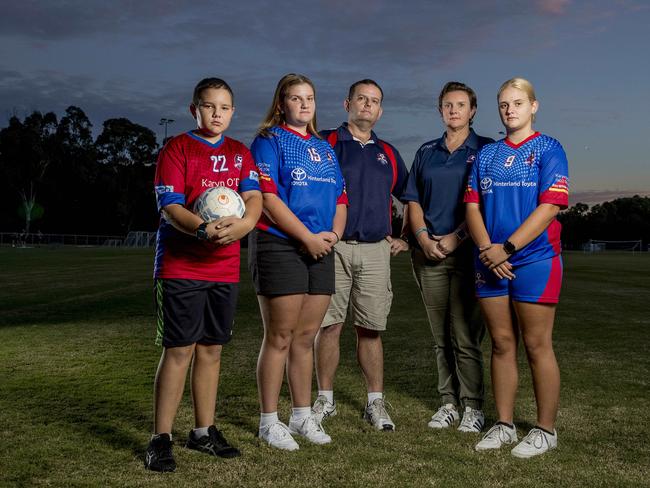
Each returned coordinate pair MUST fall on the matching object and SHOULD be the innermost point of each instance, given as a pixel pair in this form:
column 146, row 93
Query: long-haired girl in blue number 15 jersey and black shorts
column 290, row 254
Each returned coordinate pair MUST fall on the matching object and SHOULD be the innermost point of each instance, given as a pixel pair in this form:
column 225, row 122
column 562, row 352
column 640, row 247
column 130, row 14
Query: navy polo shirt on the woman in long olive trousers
column 438, row 179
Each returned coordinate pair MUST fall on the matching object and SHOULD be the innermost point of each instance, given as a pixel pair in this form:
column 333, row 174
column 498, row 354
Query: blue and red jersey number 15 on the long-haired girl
column 304, row 173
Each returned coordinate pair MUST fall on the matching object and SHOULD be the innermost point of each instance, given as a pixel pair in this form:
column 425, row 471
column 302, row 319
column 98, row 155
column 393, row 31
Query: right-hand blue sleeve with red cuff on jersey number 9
column 554, row 178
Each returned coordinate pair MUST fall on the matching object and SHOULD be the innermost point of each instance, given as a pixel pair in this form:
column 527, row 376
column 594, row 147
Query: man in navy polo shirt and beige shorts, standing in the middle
column 373, row 171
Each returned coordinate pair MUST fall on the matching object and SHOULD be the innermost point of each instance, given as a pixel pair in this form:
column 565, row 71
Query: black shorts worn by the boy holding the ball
column 194, row 311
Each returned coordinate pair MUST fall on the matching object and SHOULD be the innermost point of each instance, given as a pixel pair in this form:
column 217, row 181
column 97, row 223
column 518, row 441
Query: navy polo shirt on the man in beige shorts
column 368, row 174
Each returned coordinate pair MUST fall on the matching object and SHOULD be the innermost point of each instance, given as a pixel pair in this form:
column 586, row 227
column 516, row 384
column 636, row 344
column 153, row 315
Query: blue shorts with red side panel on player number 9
column 537, row 282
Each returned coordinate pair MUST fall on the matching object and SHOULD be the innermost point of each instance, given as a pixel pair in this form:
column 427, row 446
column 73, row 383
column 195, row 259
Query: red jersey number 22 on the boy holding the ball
column 187, row 166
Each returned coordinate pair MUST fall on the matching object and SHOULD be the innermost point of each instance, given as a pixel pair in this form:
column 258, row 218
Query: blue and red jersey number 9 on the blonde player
column 510, row 180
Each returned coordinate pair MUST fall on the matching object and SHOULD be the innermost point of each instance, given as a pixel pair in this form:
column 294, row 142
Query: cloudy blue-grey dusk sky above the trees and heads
column 141, row 60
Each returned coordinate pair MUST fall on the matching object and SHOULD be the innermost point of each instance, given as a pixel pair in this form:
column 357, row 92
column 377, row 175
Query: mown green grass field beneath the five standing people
column 77, row 362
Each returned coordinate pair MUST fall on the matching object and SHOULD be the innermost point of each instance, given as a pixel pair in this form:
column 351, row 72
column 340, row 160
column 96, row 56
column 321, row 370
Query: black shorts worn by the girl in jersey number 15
column 279, row 268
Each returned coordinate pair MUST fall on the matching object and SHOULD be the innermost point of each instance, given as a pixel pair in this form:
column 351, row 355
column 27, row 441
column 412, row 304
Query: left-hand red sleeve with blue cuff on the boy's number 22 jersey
column 170, row 176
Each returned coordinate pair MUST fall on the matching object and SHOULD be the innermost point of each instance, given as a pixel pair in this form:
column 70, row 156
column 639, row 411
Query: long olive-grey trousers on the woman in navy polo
column 447, row 289
